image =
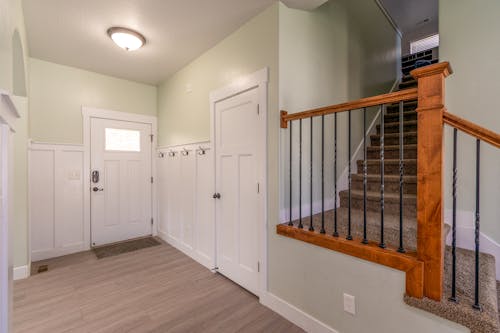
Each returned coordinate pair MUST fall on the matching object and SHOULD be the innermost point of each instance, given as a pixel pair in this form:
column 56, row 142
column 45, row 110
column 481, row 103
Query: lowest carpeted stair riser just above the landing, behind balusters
column 409, row 205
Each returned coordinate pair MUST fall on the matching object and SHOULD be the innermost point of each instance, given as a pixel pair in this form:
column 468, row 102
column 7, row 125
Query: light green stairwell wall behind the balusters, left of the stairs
column 326, row 58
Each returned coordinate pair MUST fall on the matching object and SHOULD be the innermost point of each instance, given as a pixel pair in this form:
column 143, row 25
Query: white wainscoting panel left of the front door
column 56, row 200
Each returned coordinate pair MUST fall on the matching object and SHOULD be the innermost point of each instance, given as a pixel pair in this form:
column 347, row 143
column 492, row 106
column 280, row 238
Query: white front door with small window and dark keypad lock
column 120, row 181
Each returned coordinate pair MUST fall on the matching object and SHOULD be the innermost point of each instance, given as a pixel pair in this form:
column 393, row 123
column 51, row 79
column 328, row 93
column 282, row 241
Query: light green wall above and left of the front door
column 57, row 94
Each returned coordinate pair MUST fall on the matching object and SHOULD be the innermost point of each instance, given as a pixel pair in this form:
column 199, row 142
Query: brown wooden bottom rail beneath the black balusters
column 389, row 257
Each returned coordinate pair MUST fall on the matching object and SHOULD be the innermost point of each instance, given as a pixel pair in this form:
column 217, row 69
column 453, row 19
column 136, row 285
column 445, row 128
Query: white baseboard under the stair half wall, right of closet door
column 294, row 314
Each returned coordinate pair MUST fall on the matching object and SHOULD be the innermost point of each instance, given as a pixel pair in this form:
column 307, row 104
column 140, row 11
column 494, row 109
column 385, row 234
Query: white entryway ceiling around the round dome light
column 73, row 32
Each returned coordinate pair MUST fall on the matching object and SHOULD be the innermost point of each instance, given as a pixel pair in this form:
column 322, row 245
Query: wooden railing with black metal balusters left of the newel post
column 304, row 227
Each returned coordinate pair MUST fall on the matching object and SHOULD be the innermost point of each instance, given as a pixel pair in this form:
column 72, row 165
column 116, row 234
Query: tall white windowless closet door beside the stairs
column 237, row 208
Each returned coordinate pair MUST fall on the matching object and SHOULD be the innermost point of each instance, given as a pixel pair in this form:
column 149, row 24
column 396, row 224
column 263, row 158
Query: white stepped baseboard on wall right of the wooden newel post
column 466, row 236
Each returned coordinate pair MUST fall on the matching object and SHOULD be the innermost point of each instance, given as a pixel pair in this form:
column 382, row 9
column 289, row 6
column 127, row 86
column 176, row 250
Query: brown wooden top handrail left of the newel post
column 398, row 96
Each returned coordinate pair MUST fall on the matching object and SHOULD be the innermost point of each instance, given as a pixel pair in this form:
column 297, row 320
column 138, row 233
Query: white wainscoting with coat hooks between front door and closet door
column 185, row 204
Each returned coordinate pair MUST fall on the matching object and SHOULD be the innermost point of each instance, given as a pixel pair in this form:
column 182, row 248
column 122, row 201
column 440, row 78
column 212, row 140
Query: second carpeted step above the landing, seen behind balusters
column 391, row 183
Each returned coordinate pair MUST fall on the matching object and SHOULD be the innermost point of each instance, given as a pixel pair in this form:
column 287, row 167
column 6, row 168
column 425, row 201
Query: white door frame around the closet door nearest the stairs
column 260, row 81
